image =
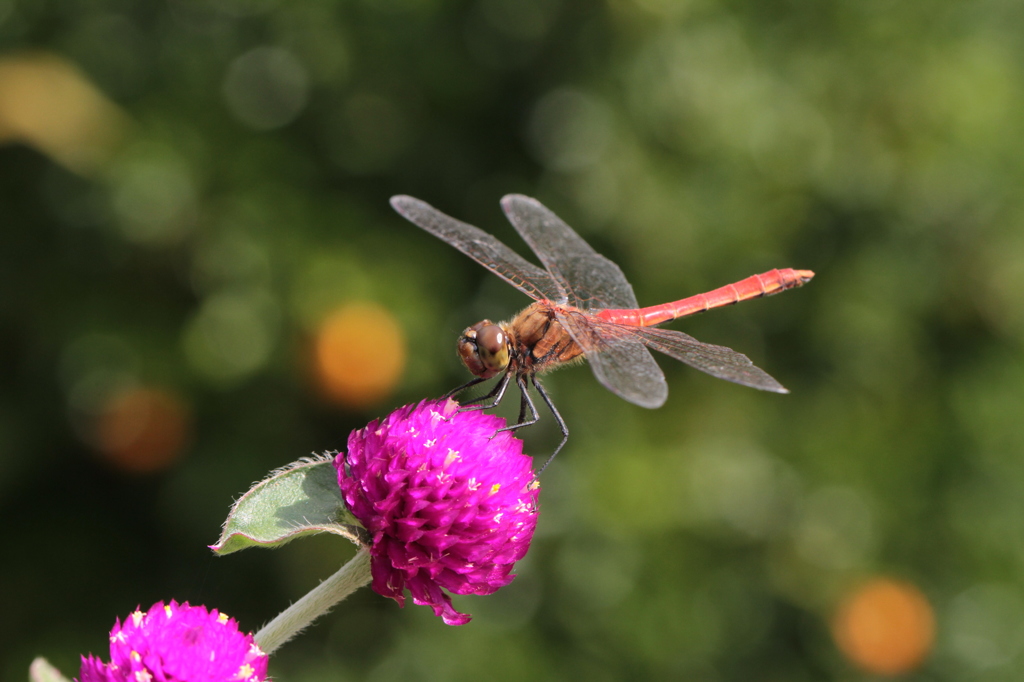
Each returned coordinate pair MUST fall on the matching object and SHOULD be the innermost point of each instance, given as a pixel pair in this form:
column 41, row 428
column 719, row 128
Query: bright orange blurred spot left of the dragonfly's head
column 360, row 355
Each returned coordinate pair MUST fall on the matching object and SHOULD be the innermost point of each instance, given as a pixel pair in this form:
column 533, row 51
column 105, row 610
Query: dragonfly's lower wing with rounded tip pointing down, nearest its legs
column 620, row 362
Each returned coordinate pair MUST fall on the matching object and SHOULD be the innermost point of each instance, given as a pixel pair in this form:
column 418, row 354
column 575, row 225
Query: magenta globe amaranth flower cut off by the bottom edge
column 178, row 644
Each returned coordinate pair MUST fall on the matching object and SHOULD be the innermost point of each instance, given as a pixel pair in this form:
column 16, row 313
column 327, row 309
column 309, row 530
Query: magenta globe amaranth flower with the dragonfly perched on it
column 450, row 502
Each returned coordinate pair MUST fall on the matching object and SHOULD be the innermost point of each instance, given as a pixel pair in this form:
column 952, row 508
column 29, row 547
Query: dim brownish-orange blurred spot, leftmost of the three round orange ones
column 143, row 431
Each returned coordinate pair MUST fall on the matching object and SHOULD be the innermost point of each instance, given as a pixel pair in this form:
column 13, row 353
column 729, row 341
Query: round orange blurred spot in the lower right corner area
column 886, row 627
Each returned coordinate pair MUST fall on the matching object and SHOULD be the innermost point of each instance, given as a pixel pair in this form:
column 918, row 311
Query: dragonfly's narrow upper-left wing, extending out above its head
column 483, row 248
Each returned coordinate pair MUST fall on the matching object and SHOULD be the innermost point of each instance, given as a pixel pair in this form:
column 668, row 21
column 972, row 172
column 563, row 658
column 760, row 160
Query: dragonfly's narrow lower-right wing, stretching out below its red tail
column 716, row 361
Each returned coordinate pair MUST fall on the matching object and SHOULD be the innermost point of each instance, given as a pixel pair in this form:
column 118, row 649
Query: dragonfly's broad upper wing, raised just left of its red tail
column 591, row 280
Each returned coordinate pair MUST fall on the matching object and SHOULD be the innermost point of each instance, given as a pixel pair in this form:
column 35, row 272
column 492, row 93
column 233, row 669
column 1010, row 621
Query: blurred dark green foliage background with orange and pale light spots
column 201, row 280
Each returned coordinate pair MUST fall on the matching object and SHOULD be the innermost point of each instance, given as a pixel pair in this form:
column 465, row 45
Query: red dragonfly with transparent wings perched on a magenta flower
column 584, row 309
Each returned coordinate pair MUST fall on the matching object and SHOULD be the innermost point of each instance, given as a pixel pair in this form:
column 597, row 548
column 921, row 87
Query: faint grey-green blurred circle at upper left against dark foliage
column 267, row 89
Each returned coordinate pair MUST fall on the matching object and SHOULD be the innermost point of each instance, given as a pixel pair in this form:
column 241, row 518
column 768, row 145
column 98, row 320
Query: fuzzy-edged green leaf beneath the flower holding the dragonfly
column 300, row 500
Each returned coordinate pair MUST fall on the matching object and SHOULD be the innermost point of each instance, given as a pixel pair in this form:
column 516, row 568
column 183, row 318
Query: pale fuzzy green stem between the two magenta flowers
column 318, row 602
